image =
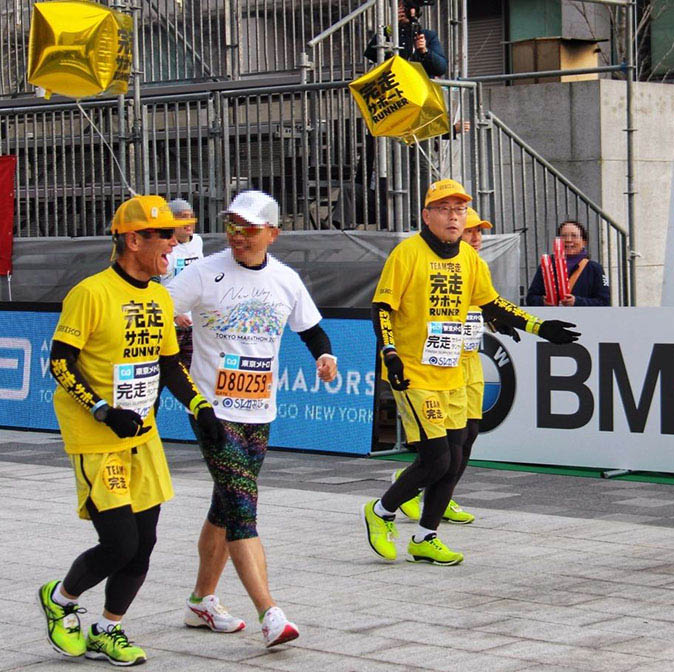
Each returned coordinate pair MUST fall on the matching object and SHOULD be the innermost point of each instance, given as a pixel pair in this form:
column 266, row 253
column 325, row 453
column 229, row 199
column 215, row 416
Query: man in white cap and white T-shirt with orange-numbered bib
column 241, row 300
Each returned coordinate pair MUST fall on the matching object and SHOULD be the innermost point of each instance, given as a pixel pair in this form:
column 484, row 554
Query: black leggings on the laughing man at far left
column 125, row 543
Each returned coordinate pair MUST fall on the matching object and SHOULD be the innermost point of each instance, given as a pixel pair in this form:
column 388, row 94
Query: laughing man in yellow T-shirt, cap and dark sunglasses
column 114, row 341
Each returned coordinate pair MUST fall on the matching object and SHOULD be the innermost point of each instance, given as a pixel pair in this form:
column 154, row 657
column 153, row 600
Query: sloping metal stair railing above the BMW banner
column 523, row 193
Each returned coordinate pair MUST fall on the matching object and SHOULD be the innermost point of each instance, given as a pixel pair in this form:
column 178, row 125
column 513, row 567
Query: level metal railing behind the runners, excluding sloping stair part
column 307, row 145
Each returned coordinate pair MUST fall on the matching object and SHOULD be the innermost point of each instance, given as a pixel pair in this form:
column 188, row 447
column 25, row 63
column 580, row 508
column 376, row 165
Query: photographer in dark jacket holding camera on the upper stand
column 417, row 44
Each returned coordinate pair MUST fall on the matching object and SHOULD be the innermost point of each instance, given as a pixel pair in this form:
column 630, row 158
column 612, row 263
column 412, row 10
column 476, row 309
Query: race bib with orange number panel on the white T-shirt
column 243, row 377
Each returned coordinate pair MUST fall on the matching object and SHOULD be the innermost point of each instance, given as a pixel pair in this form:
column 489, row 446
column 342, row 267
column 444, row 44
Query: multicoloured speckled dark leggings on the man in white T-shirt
column 234, row 466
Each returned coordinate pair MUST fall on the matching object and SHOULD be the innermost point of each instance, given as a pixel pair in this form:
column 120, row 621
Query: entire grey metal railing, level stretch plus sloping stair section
column 308, row 146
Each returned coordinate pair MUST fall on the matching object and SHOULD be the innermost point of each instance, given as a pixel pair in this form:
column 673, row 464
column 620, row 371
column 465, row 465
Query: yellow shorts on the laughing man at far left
column 138, row 477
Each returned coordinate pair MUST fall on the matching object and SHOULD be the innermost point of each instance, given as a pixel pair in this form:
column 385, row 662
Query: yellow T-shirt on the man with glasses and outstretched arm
column 430, row 297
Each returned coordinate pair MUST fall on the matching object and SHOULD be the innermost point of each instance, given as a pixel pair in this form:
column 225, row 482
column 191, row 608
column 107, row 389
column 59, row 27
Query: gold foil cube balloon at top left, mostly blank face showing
column 79, row 49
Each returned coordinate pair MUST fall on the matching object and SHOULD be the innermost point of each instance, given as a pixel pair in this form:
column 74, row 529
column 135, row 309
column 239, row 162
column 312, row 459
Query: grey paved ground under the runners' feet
column 561, row 573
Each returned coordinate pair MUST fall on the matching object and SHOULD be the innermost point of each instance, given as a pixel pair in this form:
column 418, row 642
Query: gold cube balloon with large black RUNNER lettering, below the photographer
column 397, row 99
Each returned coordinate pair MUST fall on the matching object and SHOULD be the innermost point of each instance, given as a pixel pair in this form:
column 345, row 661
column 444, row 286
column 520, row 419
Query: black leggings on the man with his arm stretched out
column 437, row 470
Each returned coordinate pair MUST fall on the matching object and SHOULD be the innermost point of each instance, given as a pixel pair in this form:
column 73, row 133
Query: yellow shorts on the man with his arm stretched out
column 428, row 414
